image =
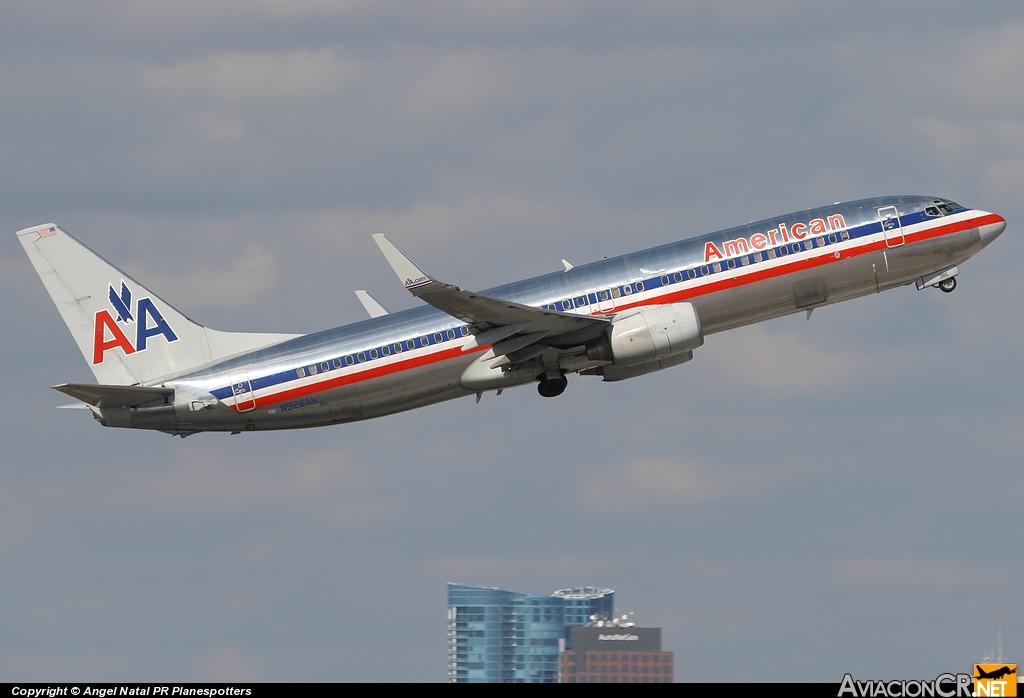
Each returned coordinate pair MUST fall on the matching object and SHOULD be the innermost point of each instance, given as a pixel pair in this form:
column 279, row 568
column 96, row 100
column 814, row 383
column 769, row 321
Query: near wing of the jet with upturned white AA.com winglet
column 483, row 312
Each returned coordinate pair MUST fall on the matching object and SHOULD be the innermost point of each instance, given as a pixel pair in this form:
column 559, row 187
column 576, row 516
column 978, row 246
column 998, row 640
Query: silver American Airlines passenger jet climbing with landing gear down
column 617, row 319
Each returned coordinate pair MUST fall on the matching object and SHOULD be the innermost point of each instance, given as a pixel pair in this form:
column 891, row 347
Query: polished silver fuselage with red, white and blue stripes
column 307, row 382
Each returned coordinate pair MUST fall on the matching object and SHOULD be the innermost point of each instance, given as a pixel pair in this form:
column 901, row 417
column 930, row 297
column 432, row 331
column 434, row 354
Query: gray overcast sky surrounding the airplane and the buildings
column 804, row 499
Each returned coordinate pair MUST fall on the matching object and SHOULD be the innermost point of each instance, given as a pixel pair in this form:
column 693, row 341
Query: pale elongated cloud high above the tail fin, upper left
column 260, row 77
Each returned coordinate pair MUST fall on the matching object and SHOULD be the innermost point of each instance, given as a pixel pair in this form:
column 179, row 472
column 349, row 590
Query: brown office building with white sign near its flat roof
column 613, row 655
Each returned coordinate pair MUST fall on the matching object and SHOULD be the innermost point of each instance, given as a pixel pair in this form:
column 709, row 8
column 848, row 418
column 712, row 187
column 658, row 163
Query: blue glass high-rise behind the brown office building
column 509, row 637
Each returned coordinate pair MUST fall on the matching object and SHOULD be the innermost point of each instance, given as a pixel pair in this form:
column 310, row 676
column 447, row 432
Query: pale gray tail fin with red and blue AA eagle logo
column 126, row 334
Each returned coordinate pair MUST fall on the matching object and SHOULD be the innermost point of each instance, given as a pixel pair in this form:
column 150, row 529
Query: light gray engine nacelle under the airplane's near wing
column 649, row 334
